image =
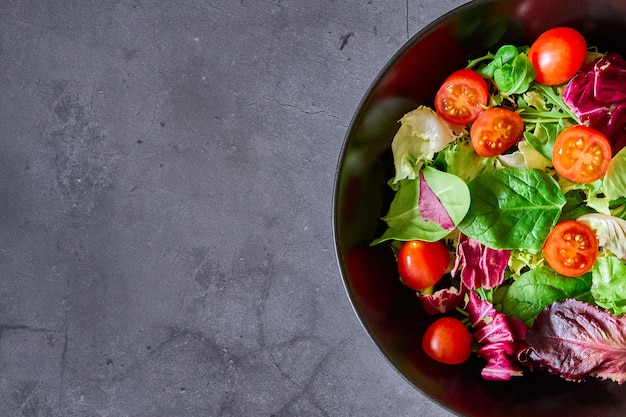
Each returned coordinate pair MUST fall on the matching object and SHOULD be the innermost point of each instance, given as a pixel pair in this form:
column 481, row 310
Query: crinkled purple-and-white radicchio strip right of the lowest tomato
column 498, row 344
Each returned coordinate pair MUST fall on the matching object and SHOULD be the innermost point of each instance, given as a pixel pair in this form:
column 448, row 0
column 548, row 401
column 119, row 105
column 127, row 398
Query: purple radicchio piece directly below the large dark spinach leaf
column 481, row 266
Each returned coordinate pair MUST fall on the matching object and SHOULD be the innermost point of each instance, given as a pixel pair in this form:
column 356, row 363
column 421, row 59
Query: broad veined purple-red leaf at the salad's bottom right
column 575, row 340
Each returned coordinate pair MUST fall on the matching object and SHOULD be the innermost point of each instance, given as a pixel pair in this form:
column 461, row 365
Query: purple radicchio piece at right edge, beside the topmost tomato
column 597, row 96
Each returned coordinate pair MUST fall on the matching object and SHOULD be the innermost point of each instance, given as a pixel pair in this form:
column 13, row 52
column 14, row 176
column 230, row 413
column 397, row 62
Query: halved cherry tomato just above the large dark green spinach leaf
column 495, row 131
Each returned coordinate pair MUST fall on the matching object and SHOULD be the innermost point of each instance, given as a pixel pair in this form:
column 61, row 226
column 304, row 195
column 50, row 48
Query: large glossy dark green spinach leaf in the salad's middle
column 513, row 208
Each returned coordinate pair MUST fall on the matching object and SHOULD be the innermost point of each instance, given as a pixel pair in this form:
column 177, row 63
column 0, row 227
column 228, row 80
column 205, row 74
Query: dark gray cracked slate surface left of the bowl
column 166, row 179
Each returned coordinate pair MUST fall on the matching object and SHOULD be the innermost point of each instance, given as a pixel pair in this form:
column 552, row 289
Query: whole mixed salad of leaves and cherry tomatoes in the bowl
column 532, row 218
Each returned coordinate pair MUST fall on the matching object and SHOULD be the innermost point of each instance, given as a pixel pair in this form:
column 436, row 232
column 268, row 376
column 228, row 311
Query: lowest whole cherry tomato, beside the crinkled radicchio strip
column 447, row 340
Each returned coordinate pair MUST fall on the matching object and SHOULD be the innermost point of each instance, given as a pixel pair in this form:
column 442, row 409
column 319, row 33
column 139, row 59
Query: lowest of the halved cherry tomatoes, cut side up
column 571, row 248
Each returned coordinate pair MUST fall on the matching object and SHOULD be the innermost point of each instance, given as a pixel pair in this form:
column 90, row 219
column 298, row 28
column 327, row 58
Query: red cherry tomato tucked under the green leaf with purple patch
column 421, row 264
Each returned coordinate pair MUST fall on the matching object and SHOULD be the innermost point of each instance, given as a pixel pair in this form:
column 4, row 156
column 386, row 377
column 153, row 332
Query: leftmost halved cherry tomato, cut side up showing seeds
column 462, row 97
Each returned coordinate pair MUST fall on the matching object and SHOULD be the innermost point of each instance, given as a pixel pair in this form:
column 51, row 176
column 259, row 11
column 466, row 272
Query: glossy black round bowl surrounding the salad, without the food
column 390, row 312
